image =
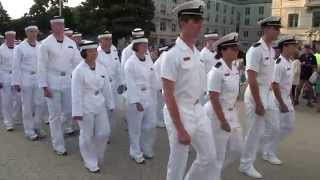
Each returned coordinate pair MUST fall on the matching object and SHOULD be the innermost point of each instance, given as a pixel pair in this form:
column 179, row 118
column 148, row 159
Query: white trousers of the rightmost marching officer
column 286, row 125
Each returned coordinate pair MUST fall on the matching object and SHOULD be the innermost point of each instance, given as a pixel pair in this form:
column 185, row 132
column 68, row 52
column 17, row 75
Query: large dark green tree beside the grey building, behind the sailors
column 119, row 16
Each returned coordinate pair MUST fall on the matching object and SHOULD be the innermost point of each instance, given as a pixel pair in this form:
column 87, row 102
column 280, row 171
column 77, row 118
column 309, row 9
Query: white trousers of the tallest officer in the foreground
column 199, row 127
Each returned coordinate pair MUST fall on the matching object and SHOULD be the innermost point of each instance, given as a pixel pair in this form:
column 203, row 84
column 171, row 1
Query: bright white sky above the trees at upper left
column 17, row 8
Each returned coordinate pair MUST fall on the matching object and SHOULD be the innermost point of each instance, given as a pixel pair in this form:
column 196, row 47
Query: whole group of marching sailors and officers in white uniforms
column 192, row 94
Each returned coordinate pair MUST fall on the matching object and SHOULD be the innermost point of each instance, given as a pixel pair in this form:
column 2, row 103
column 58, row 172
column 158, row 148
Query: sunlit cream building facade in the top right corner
column 299, row 17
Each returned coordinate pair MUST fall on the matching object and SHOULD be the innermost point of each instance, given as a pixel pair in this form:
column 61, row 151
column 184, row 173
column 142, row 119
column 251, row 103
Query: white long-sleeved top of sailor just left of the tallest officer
column 139, row 75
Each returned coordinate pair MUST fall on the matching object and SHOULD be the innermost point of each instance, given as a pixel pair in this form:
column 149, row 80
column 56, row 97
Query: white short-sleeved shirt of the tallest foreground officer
column 182, row 66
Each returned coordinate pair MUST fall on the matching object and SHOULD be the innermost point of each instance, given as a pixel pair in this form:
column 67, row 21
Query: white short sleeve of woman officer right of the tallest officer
column 215, row 79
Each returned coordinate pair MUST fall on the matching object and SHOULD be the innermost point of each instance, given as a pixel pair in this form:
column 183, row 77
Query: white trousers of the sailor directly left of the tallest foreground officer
column 142, row 132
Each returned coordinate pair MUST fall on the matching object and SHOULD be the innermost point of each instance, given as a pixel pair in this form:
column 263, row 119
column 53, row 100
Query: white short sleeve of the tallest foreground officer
column 169, row 69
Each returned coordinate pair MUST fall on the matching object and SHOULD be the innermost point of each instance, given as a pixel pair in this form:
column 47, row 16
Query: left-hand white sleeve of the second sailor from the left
column 16, row 68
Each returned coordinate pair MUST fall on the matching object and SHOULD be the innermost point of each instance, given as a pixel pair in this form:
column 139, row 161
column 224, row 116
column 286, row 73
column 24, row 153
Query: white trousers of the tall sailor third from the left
column 59, row 107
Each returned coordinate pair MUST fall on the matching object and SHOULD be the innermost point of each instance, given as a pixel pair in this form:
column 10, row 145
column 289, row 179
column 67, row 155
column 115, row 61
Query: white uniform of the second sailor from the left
column 25, row 75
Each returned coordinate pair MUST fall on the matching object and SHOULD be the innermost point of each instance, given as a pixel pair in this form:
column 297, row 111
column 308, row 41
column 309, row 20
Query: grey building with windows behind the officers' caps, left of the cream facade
column 222, row 16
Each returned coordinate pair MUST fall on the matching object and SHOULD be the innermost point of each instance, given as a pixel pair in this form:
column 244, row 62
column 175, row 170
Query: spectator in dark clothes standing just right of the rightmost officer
column 308, row 65
